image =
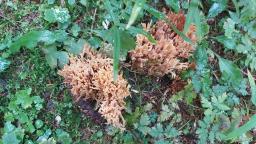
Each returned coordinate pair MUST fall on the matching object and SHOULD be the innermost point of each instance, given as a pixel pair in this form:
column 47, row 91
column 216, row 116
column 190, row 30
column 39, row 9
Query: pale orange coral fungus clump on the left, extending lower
column 91, row 77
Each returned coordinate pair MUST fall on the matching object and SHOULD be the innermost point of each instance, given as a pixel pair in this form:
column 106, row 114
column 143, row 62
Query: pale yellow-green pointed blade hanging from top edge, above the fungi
column 139, row 4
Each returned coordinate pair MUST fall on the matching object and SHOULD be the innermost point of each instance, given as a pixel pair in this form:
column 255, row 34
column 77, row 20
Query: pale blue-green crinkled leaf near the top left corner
column 57, row 14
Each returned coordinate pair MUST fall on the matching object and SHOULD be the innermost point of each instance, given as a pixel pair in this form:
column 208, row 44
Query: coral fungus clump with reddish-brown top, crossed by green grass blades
column 169, row 55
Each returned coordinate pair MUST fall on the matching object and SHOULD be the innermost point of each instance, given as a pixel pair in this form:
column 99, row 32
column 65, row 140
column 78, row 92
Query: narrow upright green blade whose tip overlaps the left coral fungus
column 117, row 46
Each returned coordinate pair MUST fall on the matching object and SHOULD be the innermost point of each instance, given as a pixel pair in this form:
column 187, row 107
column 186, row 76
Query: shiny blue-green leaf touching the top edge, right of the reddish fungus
column 217, row 8
